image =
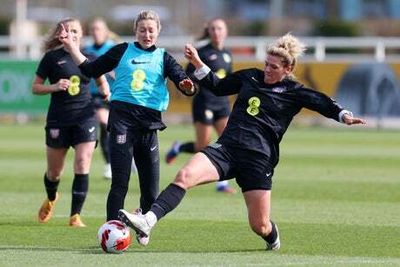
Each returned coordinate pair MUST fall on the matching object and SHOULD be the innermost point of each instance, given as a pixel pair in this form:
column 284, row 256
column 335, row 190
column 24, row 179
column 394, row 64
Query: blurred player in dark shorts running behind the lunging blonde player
column 208, row 110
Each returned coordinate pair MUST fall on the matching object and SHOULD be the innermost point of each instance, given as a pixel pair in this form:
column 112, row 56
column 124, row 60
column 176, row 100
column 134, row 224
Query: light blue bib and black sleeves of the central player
column 140, row 74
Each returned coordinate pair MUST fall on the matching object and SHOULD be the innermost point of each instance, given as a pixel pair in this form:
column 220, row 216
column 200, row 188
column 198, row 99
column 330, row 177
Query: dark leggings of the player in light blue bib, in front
column 143, row 146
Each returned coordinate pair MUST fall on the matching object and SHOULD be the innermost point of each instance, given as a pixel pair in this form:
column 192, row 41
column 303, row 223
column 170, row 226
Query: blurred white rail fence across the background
column 320, row 49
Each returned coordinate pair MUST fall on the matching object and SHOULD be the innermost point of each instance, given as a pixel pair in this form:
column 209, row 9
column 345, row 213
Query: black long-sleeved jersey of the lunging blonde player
column 262, row 113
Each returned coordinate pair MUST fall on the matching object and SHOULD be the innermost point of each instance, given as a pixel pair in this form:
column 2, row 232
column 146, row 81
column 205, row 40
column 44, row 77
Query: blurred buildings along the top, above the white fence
column 186, row 16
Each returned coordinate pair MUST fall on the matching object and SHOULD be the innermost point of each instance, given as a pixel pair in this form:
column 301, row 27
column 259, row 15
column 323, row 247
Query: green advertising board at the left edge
column 16, row 88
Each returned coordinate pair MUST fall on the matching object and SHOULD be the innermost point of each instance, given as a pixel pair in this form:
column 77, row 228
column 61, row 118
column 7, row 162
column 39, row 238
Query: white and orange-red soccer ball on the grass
column 114, row 237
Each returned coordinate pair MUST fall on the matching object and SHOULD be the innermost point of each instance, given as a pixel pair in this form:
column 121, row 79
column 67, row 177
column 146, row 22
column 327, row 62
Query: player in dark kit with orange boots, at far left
column 71, row 119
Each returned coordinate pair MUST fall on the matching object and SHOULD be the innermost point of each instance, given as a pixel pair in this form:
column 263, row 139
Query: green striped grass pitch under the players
column 336, row 199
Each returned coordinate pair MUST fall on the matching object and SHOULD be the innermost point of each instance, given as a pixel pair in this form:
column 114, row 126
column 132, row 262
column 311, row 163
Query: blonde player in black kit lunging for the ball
column 248, row 149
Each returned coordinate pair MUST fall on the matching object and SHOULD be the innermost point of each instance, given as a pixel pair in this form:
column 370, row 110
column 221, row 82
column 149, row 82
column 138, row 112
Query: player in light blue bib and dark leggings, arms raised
column 139, row 96
